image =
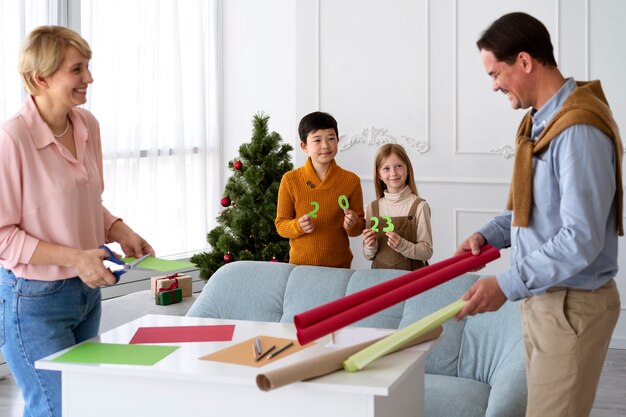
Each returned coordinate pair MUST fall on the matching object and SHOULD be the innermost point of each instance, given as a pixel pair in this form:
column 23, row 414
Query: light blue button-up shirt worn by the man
column 571, row 239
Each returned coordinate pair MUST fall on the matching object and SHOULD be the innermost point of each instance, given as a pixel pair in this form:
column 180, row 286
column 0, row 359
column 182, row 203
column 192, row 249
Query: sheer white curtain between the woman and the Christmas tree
column 156, row 94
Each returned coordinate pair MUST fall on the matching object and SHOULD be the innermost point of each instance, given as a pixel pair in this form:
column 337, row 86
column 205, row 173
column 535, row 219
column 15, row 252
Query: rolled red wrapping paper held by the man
column 325, row 319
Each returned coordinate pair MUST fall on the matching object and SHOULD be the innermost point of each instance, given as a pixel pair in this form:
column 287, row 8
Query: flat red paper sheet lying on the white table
column 181, row 334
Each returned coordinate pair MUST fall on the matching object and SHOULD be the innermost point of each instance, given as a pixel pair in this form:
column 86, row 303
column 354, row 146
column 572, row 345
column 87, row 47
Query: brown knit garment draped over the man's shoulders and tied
column 586, row 105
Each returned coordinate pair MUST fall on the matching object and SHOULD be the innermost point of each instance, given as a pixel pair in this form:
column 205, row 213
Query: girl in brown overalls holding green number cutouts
column 398, row 233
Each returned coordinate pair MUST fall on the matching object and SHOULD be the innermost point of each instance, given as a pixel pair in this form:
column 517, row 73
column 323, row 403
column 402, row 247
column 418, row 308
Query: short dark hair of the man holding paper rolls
column 518, row 32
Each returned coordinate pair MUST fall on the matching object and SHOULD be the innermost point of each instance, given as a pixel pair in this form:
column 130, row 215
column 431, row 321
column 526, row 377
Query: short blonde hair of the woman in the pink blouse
column 44, row 51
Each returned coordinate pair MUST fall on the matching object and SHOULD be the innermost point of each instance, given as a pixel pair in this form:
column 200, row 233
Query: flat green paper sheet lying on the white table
column 116, row 354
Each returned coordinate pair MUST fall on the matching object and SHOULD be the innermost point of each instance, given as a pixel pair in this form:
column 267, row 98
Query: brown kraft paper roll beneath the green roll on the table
column 325, row 363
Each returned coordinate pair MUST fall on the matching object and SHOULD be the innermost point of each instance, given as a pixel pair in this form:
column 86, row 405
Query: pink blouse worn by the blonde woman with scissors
column 48, row 195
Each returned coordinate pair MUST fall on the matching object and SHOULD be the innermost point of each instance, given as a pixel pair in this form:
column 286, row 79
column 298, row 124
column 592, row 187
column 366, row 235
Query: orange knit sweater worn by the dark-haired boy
column 328, row 245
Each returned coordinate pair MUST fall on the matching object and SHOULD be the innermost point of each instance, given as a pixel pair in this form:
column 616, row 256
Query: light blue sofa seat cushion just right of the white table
column 462, row 397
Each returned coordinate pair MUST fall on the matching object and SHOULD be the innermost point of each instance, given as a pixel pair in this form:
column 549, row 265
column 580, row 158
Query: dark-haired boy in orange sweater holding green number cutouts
column 320, row 204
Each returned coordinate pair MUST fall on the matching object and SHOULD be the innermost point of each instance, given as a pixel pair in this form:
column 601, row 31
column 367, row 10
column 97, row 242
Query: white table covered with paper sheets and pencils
column 183, row 385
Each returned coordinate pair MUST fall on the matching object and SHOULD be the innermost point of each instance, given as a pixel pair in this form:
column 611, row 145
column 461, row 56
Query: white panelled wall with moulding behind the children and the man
column 409, row 71
